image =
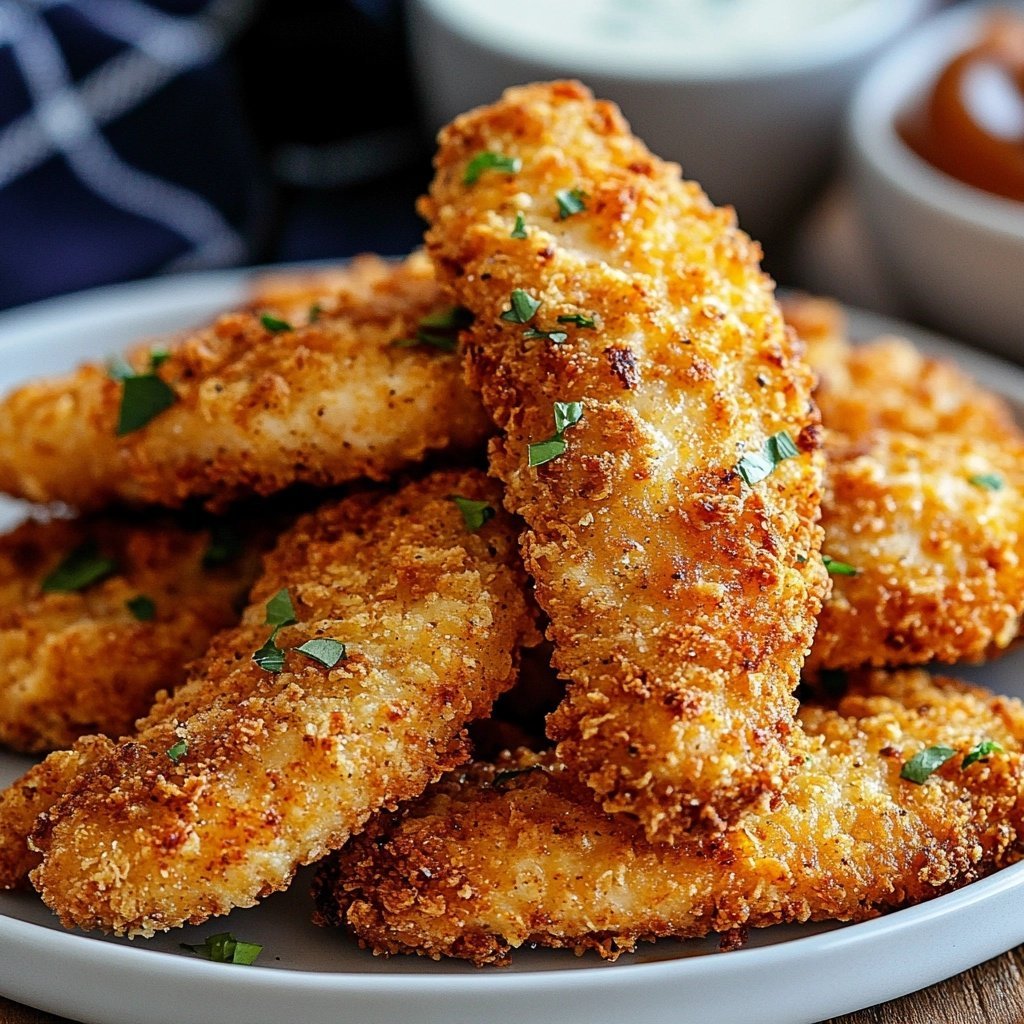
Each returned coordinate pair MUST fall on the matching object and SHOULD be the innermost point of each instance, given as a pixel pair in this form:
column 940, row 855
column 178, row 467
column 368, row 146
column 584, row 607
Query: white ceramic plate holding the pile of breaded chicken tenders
column 784, row 976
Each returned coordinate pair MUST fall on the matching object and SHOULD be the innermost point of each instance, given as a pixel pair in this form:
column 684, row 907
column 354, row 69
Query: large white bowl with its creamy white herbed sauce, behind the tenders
column 748, row 96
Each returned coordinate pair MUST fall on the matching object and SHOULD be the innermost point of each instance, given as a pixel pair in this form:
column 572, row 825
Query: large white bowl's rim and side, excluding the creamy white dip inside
column 758, row 130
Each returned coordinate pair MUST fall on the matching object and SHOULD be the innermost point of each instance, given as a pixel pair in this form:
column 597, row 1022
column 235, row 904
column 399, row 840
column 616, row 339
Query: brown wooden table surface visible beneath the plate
column 991, row 994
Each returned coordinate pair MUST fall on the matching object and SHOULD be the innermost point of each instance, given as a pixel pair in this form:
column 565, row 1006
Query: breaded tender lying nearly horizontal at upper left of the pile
column 259, row 404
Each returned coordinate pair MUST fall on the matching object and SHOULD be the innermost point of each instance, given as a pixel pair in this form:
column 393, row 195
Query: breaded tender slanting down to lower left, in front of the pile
column 251, row 770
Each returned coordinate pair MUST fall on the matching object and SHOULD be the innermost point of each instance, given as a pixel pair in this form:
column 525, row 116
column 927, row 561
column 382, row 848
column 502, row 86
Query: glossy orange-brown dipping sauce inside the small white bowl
column 971, row 124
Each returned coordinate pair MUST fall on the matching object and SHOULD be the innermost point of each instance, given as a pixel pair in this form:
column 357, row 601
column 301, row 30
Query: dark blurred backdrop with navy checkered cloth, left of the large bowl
column 144, row 138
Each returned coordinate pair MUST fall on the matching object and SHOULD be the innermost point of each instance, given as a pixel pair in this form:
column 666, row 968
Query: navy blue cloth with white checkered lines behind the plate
column 123, row 151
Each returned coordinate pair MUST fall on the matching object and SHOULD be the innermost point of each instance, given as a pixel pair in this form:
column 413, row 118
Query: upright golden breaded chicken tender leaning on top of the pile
column 677, row 562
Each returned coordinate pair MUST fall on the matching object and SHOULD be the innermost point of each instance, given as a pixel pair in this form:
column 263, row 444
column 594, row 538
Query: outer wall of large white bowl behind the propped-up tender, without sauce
column 759, row 140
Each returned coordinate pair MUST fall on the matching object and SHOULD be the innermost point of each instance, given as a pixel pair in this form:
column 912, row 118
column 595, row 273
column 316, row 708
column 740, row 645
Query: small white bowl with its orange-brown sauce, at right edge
column 943, row 107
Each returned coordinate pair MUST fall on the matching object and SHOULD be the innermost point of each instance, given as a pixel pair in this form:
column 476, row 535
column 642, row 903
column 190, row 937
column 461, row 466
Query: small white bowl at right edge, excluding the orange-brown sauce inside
column 955, row 253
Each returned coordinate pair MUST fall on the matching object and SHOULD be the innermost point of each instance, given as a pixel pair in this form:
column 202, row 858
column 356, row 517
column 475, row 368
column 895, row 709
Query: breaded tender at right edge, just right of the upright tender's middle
column 928, row 538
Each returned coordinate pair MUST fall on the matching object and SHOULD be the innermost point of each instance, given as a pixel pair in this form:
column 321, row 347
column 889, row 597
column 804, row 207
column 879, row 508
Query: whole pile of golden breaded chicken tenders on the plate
column 578, row 419
